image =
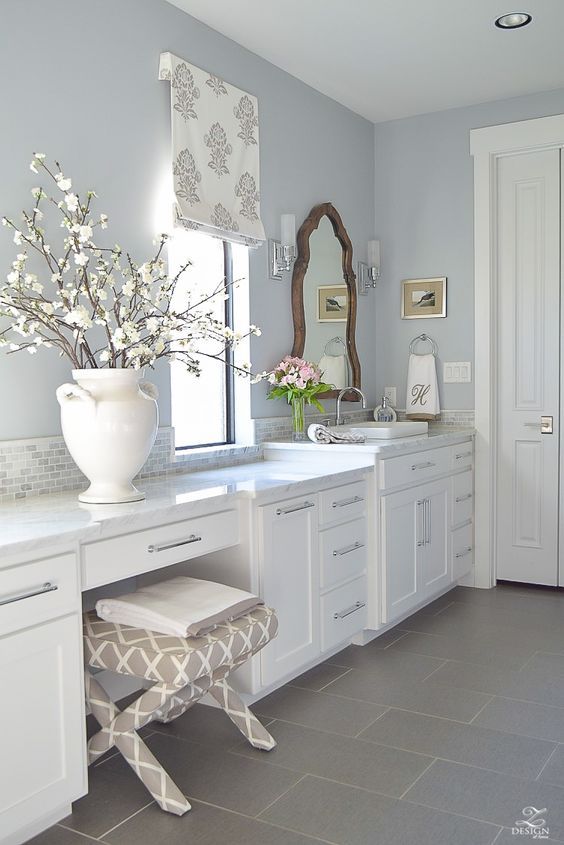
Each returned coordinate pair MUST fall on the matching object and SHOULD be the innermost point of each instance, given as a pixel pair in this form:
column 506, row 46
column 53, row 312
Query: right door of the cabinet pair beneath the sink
column 435, row 570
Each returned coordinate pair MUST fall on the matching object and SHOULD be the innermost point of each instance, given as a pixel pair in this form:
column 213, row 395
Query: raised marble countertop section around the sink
column 437, row 436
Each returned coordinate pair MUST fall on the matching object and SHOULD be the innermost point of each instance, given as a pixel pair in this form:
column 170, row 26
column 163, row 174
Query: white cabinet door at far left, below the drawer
column 42, row 711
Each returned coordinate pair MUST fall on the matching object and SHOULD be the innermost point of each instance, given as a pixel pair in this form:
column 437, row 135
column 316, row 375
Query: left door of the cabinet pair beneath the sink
column 402, row 515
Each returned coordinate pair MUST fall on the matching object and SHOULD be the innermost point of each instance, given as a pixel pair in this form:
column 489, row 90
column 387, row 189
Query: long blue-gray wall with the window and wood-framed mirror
column 78, row 81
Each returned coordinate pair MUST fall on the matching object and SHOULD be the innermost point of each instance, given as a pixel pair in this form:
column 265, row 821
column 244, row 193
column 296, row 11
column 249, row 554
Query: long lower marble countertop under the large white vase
column 35, row 523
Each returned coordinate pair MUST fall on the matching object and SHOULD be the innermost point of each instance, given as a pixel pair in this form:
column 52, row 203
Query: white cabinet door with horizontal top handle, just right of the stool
column 290, row 584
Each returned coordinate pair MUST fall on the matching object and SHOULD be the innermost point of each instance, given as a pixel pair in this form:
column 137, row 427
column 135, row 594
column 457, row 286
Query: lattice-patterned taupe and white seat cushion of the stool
column 175, row 660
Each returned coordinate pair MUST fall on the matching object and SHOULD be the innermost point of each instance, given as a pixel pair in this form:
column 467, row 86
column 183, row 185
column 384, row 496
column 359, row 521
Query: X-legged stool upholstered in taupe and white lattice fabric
column 182, row 671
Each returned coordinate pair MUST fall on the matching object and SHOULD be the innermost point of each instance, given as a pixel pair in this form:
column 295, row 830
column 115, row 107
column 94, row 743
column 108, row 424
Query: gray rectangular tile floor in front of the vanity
column 440, row 732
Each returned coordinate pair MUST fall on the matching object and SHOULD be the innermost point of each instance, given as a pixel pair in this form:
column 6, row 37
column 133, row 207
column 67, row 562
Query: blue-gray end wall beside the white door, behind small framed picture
column 424, row 217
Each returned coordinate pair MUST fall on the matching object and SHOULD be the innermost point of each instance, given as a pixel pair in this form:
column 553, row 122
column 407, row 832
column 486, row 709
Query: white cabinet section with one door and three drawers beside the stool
column 312, row 557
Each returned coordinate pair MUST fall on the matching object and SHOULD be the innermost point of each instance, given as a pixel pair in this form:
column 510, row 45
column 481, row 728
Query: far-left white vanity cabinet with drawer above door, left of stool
column 42, row 696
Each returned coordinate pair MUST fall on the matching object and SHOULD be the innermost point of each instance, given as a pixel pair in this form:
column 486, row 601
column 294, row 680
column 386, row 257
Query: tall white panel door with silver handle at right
column 528, row 259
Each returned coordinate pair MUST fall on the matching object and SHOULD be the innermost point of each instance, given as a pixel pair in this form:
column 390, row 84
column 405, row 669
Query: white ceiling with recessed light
column 386, row 59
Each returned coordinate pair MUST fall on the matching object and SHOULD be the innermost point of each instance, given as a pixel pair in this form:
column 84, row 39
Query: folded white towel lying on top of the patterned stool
column 181, row 606
